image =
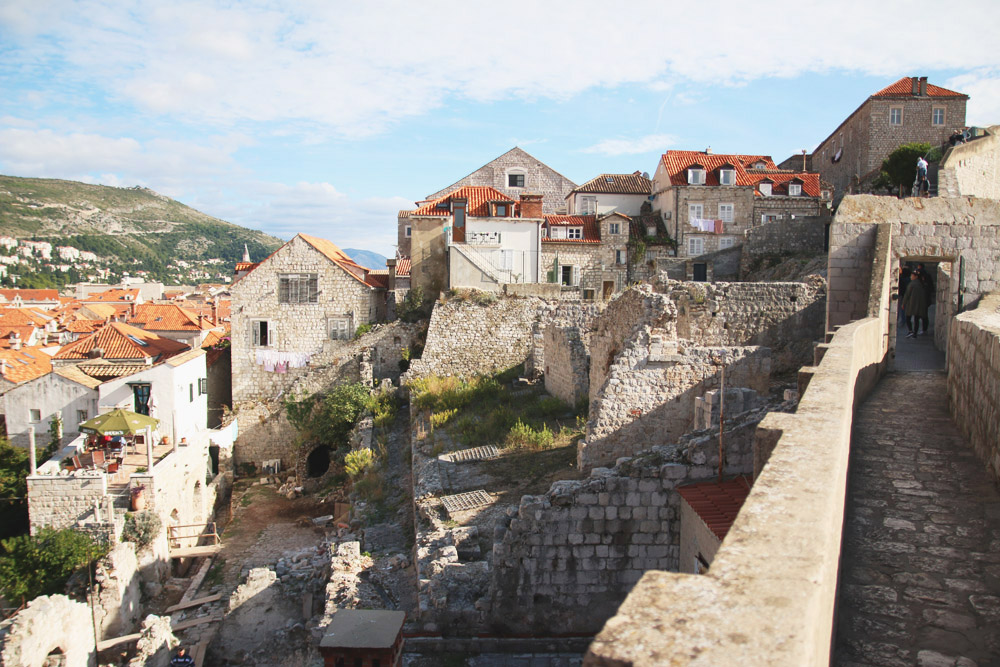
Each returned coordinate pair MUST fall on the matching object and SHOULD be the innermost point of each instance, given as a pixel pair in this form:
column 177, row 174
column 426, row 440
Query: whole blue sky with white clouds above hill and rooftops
column 327, row 117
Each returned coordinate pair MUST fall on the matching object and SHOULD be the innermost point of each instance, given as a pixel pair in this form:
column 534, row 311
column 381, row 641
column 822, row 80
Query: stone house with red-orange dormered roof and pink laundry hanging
column 710, row 200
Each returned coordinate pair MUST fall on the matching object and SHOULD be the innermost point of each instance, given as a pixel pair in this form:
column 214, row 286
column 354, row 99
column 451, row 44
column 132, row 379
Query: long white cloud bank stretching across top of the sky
column 352, row 69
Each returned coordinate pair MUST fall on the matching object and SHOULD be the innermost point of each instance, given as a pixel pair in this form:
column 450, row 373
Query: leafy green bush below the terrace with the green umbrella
column 33, row 565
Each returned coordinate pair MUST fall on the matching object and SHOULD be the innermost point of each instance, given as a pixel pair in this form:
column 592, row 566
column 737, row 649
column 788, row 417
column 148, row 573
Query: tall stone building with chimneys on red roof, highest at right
column 909, row 110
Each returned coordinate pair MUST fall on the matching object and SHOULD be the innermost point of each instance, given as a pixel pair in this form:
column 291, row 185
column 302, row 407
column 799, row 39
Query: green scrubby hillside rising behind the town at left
column 135, row 225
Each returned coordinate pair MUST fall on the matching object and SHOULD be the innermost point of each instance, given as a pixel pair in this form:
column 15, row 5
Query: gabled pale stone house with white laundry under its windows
column 300, row 301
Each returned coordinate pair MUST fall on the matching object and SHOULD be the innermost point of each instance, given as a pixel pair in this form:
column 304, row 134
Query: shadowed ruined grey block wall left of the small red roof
column 566, row 559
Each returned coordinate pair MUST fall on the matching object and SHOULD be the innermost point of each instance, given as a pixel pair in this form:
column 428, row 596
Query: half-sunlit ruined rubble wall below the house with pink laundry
column 786, row 317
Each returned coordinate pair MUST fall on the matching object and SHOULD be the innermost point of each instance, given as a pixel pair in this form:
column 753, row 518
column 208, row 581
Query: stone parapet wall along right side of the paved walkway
column 974, row 379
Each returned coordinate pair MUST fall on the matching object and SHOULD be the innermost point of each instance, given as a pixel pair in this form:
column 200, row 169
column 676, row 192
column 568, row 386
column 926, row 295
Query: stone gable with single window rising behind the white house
column 514, row 173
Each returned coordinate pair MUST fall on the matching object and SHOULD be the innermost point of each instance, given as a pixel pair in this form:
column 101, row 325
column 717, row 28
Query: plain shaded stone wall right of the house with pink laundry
column 778, row 240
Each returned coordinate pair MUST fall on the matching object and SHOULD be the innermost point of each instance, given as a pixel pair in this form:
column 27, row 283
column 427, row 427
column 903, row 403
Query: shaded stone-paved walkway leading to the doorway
column 920, row 573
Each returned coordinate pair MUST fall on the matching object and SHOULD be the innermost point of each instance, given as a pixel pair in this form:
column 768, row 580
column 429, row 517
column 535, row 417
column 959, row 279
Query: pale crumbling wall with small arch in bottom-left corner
column 49, row 624
